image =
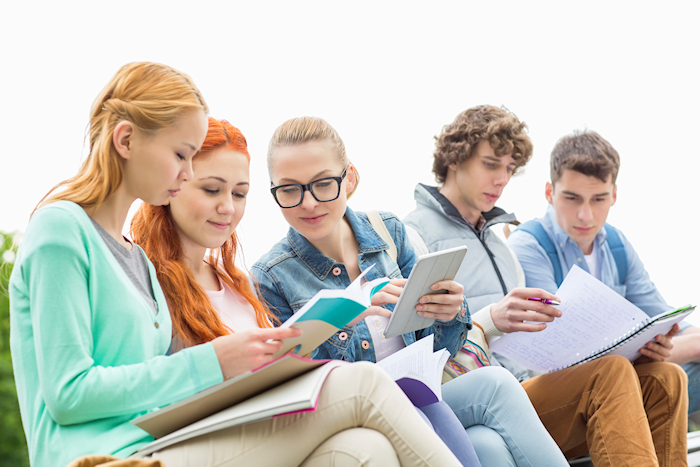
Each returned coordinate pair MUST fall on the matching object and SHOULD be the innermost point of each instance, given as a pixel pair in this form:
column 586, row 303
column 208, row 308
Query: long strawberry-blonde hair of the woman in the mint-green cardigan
column 149, row 95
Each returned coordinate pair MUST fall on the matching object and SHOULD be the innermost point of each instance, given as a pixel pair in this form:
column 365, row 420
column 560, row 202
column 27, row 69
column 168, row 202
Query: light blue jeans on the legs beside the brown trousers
column 500, row 420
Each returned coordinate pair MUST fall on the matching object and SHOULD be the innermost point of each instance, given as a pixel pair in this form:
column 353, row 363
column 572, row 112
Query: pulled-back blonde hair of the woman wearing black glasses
column 301, row 130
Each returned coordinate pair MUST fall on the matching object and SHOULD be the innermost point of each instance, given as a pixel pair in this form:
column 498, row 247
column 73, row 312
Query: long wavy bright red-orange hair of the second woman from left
column 195, row 320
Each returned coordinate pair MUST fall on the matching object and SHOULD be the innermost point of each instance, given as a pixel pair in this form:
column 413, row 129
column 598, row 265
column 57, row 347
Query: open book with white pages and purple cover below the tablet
column 418, row 371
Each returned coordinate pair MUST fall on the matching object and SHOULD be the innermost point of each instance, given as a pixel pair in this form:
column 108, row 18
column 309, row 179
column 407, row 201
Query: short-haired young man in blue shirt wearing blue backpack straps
column 583, row 171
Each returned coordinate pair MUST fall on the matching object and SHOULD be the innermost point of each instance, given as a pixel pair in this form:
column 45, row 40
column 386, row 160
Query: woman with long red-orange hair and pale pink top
column 208, row 297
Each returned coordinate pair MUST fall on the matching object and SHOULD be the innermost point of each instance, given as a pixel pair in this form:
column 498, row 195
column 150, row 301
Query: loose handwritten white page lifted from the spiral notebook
column 593, row 315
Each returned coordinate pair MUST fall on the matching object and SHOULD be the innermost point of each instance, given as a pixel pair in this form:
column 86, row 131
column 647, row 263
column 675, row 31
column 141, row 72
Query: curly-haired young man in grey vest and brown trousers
column 624, row 415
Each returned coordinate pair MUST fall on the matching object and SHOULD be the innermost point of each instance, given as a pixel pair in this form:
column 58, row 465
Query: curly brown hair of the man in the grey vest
column 500, row 127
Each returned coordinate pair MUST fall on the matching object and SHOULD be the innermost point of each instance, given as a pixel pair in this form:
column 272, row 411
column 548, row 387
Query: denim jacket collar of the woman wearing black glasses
column 368, row 241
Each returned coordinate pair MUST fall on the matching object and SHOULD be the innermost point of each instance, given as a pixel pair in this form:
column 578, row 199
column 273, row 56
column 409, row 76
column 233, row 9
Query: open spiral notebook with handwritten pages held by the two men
column 595, row 321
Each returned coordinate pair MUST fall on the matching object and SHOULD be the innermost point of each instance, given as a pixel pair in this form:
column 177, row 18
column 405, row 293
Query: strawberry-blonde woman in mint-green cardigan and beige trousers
column 90, row 325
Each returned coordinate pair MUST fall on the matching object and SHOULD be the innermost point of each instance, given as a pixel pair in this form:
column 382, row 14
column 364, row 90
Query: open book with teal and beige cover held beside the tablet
column 327, row 312
